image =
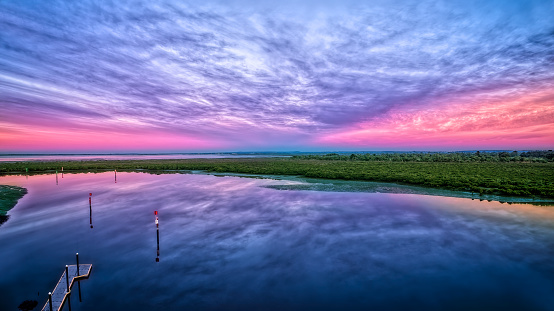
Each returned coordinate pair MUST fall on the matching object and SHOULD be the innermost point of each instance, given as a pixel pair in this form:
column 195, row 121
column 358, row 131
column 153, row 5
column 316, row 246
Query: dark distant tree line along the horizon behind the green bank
column 539, row 156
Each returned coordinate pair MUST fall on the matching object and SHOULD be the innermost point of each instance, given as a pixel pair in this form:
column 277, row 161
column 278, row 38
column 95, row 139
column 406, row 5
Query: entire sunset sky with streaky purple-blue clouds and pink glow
column 203, row 76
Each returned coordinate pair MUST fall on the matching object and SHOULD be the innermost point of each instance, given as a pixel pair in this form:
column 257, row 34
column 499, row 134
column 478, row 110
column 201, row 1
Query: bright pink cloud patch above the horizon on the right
column 470, row 122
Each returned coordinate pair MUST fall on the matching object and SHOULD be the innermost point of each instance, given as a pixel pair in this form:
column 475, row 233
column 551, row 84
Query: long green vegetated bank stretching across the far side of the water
column 507, row 178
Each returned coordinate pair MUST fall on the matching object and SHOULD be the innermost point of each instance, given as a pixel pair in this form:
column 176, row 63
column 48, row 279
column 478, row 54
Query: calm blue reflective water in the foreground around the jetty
column 228, row 244
